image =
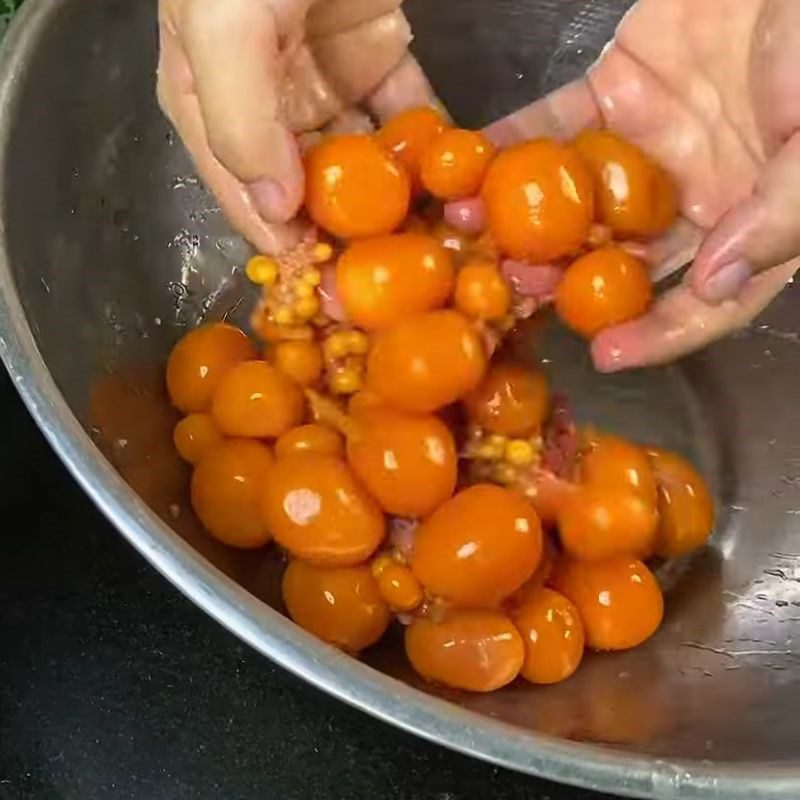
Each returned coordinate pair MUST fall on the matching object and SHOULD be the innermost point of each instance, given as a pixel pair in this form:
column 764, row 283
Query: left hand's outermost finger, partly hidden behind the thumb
column 182, row 107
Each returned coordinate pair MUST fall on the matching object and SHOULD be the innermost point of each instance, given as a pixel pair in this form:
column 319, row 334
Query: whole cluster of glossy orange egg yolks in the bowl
column 341, row 430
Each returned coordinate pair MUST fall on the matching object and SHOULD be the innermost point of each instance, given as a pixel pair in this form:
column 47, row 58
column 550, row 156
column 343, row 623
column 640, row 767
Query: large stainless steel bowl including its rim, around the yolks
column 109, row 249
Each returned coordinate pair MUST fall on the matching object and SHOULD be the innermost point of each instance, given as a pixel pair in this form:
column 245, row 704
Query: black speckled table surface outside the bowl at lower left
column 112, row 685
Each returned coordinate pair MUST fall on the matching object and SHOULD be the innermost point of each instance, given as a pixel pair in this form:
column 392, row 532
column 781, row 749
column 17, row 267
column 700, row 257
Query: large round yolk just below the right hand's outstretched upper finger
column 539, row 199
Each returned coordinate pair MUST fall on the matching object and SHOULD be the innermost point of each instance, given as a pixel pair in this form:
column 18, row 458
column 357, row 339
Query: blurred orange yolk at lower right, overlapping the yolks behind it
column 604, row 521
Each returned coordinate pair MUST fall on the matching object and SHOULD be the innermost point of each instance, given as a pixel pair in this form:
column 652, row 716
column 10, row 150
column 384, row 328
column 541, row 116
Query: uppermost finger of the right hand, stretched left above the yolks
column 562, row 114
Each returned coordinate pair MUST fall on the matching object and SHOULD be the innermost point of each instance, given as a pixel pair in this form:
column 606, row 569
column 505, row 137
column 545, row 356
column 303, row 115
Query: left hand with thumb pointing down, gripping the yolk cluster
column 239, row 79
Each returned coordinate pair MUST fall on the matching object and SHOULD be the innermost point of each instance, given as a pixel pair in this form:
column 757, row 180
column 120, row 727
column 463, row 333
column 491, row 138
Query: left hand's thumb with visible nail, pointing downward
column 232, row 49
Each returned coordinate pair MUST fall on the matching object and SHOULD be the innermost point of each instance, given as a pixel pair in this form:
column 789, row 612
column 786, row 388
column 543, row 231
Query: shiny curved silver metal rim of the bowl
column 580, row 764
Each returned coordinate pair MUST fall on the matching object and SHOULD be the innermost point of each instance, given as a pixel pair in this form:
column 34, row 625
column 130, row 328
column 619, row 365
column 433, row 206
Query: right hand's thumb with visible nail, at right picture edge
column 761, row 232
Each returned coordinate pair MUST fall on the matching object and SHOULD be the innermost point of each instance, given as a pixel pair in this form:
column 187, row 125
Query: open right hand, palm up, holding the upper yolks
column 709, row 88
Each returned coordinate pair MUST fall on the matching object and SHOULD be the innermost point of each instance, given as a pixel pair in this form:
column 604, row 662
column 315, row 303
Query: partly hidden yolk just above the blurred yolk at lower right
column 614, row 462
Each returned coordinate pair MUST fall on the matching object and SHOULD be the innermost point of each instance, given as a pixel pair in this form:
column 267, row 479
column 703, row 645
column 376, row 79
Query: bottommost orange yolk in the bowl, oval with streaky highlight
column 478, row 651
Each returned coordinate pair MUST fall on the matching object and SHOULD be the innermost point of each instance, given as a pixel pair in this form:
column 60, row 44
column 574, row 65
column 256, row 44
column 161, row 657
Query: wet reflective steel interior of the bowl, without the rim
column 116, row 250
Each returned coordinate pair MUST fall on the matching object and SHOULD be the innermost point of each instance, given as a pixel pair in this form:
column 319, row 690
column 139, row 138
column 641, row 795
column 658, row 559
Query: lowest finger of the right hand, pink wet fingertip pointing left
column 680, row 323
